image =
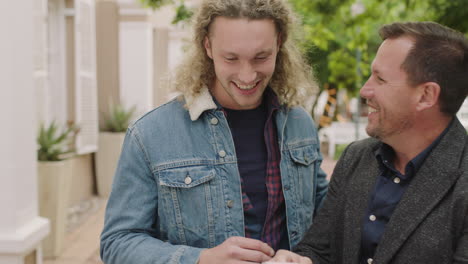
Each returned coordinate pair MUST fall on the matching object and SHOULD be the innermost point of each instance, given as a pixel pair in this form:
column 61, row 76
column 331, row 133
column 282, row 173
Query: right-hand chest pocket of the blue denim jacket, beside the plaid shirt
column 304, row 159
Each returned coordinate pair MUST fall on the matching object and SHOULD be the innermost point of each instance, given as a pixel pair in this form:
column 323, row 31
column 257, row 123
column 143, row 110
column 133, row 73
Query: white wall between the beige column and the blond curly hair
column 140, row 64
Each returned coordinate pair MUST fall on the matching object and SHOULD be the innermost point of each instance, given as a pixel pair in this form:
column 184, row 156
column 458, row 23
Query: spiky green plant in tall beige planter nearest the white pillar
column 54, row 178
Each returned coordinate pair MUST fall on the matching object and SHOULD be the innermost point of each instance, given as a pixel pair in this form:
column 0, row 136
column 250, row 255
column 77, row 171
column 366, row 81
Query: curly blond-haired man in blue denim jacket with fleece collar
column 230, row 171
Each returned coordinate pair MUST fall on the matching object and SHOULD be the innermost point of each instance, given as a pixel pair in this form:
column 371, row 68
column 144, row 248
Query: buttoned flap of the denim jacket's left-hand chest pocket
column 186, row 177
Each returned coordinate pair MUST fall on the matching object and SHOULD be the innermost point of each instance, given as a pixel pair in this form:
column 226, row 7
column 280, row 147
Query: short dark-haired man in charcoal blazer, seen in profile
column 402, row 195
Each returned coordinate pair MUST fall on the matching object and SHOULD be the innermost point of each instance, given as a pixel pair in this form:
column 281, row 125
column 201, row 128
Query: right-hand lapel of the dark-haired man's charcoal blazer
column 433, row 180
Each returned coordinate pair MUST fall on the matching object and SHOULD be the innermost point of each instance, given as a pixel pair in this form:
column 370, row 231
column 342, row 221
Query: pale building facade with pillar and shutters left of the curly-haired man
column 66, row 60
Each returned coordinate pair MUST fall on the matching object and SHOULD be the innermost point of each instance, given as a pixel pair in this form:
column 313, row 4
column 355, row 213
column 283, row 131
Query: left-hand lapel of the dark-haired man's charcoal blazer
column 361, row 184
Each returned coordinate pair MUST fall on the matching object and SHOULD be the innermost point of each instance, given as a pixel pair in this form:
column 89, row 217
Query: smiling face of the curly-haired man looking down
column 244, row 56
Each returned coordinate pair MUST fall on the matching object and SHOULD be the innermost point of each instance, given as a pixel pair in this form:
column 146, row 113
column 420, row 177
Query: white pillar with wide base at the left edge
column 20, row 227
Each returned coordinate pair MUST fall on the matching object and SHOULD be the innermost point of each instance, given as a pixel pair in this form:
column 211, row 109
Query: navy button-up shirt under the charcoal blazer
column 388, row 190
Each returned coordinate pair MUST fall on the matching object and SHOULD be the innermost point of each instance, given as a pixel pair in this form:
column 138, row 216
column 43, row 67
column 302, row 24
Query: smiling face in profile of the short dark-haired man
column 390, row 99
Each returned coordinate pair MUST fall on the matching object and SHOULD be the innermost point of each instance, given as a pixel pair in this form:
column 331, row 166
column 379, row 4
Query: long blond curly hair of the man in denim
column 292, row 80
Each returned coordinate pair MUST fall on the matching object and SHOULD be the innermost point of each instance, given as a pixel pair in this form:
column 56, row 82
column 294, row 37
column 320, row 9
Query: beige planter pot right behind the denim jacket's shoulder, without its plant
column 107, row 156
